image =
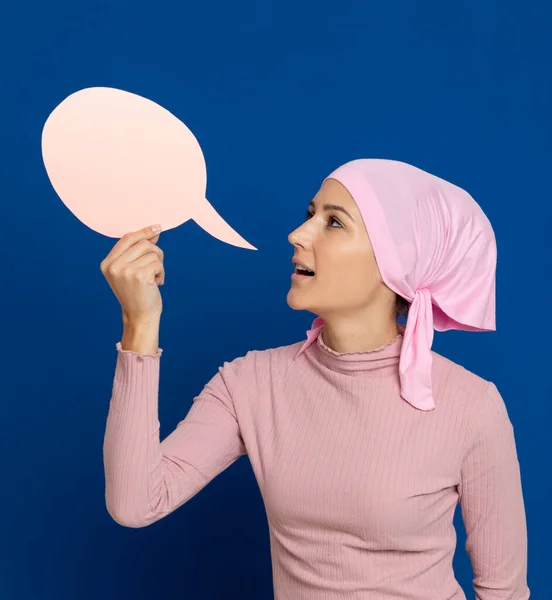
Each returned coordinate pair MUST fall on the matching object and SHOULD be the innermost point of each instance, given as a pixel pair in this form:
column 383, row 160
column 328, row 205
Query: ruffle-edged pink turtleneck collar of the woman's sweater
column 380, row 361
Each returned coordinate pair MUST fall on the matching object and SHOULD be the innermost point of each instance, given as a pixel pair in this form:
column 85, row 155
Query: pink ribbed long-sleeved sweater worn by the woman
column 359, row 486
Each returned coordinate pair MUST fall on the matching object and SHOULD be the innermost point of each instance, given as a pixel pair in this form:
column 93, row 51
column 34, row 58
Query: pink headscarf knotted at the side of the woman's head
column 435, row 247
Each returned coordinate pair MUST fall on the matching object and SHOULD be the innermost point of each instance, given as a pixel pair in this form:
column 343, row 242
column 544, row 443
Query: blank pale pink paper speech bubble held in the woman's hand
column 121, row 162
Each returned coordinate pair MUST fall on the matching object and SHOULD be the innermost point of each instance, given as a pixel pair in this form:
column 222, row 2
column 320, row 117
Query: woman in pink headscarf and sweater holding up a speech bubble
column 362, row 439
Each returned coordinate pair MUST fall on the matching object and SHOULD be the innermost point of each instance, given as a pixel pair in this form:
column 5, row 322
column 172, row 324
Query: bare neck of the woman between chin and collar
column 345, row 335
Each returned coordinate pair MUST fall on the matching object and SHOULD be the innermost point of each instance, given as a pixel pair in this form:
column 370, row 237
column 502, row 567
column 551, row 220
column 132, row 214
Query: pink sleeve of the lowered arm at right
column 492, row 503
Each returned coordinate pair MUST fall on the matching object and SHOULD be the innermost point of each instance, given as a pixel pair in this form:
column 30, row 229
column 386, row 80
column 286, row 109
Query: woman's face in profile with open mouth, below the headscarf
column 333, row 242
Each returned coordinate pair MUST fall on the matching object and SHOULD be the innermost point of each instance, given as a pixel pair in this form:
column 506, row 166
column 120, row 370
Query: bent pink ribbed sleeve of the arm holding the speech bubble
column 147, row 479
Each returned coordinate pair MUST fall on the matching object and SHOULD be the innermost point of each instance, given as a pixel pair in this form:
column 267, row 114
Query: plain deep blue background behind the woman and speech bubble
column 278, row 94
